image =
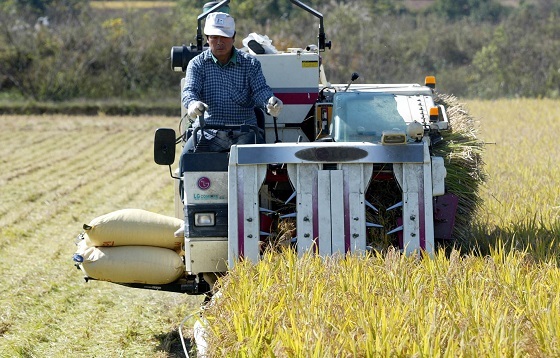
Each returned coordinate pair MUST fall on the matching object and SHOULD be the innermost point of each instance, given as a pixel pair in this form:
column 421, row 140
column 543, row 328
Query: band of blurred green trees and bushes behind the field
column 475, row 48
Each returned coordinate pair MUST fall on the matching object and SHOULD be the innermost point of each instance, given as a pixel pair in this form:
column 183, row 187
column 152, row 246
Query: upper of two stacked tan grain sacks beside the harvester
column 134, row 227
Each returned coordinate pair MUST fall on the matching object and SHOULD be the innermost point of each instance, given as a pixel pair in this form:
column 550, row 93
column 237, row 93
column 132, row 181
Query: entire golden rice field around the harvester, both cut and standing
column 58, row 172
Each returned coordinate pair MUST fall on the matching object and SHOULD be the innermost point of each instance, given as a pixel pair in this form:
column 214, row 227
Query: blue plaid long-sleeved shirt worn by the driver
column 231, row 91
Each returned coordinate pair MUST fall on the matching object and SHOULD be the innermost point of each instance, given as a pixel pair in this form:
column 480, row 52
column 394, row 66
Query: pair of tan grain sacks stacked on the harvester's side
column 131, row 246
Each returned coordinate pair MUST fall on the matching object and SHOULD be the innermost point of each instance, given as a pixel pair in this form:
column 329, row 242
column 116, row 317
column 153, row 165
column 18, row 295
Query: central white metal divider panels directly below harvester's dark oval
column 338, row 199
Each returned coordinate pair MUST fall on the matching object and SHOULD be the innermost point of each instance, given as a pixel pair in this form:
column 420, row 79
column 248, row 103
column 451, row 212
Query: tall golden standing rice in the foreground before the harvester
column 390, row 305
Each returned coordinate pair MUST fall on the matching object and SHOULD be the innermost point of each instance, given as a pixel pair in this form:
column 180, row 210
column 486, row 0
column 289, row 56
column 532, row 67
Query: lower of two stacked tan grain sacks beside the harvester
column 131, row 264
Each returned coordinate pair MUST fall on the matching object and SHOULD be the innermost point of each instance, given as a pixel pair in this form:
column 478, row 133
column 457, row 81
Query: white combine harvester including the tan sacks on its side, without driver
column 336, row 158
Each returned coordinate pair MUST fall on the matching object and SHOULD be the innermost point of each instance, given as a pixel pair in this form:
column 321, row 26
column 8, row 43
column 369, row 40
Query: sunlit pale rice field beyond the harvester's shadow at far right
column 522, row 160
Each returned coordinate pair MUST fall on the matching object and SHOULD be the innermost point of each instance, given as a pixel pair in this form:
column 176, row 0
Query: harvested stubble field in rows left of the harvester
column 59, row 172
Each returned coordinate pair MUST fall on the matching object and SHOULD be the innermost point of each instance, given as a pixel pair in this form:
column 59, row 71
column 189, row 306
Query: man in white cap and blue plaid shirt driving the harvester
column 224, row 86
